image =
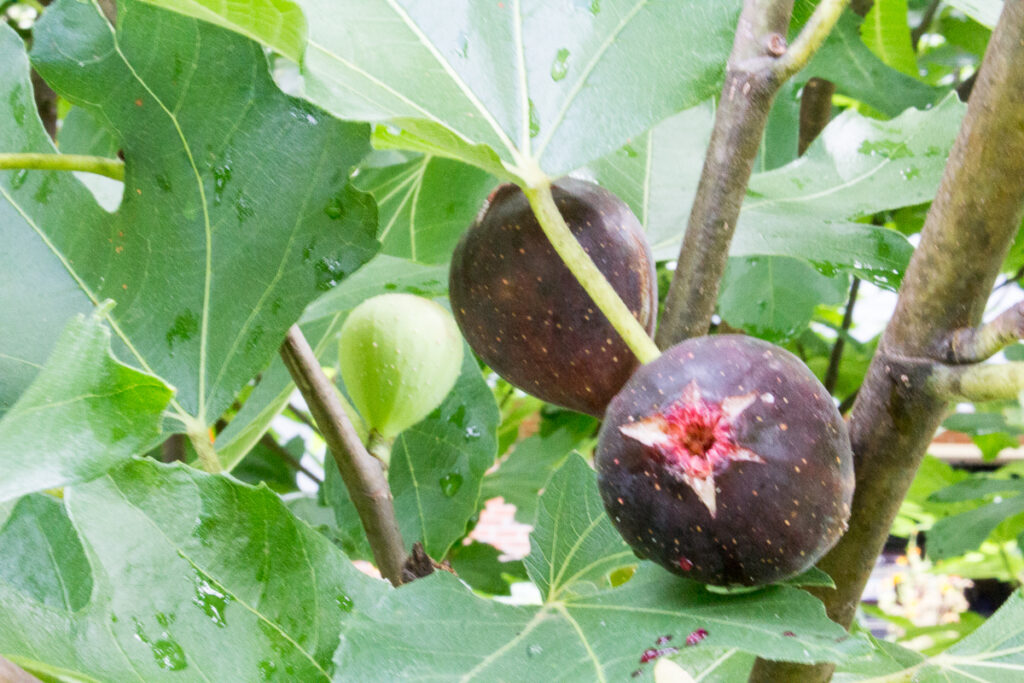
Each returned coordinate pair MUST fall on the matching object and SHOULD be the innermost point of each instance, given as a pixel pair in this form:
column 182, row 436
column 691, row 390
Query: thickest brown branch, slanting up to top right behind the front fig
column 967, row 234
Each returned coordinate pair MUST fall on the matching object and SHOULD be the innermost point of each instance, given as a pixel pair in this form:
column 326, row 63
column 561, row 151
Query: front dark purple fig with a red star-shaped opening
column 727, row 461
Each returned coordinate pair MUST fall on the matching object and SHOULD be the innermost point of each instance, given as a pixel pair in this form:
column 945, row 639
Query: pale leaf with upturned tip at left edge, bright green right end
column 83, row 414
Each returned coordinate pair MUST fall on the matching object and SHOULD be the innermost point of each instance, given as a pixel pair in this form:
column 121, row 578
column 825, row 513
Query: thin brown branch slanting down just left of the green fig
column 362, row 473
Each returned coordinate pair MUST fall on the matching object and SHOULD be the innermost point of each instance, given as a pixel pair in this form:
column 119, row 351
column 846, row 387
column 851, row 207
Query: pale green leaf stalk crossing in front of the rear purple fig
column 587, row 274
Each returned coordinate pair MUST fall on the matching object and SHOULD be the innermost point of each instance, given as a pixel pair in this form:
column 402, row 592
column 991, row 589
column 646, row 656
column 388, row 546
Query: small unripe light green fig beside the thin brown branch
column 400, row 357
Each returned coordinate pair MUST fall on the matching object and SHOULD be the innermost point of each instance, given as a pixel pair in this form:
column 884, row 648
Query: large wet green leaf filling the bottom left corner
column 205, row 579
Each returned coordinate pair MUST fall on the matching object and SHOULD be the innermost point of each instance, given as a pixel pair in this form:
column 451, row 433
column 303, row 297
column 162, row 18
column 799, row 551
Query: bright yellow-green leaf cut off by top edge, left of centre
column 278, row 24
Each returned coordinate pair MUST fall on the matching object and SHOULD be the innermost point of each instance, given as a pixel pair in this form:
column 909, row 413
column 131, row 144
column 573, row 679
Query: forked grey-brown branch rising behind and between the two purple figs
column 758, row 66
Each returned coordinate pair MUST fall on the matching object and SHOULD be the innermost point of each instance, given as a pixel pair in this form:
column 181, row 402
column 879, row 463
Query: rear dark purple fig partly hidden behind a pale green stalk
column 526, row 315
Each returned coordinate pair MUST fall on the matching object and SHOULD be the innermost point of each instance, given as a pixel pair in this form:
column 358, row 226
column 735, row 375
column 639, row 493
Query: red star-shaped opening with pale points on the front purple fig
column 696, row 439
